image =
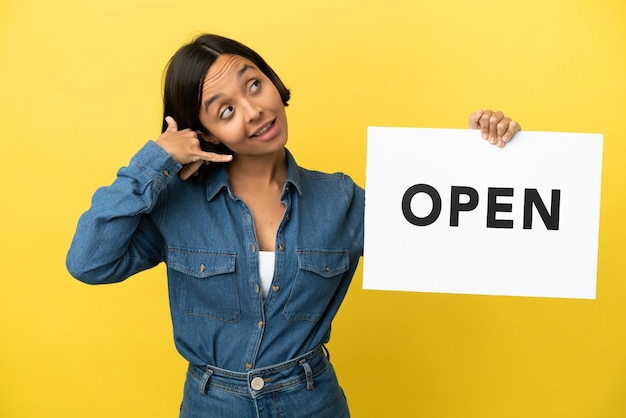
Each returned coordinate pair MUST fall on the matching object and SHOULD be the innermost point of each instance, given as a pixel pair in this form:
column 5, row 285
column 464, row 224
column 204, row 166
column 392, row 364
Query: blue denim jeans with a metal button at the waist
column 305, row 387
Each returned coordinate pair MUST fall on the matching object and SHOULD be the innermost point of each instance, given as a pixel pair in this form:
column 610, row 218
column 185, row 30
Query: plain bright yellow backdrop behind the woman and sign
column 80, row 93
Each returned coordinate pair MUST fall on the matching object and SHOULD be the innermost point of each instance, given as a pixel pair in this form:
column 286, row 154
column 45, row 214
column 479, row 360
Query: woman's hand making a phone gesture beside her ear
column 184, row 147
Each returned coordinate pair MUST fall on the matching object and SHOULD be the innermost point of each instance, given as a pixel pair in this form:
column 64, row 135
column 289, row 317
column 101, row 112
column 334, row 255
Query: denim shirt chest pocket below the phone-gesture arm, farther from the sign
column 207, row 283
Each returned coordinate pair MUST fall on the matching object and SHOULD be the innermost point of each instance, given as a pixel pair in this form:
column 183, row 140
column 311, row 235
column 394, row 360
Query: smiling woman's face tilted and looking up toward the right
column 242, row 108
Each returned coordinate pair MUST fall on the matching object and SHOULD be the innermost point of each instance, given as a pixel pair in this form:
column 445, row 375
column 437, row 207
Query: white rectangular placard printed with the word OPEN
column 533, row 231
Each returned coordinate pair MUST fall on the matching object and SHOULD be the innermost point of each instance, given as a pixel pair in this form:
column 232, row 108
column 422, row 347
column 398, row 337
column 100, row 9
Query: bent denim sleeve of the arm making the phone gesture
column 116, row 238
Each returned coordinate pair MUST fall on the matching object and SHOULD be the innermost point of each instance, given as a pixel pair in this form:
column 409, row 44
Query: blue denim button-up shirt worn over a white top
column 206, row 237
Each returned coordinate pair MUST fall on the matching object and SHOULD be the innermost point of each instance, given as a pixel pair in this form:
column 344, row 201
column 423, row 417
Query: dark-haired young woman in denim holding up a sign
column 259, row 251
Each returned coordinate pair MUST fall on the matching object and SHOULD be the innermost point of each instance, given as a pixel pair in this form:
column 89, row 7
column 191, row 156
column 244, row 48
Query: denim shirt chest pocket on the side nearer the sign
column 318, row 277
